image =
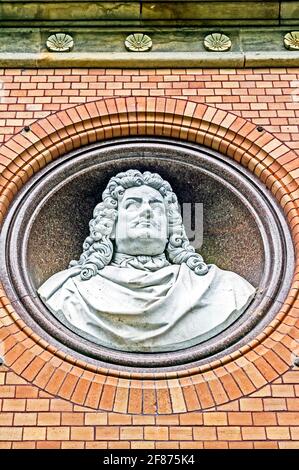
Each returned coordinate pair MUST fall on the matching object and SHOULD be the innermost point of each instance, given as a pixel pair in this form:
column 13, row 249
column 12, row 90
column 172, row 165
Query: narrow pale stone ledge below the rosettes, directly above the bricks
column 152, row 60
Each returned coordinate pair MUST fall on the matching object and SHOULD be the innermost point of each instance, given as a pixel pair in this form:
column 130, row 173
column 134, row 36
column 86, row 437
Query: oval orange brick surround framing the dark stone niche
column 235, row 375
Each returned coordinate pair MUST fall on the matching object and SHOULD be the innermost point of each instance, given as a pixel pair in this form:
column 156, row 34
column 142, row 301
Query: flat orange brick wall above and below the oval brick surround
column 31, row 417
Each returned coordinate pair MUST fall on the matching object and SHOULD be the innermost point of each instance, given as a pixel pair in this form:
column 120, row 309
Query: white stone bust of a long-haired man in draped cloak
column 139, row 284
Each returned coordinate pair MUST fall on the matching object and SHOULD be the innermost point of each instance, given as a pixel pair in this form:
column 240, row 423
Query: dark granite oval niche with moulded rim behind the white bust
column 243, row 231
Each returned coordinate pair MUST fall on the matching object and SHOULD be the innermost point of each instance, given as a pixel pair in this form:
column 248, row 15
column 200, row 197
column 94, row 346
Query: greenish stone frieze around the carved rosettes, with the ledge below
column 172, row 47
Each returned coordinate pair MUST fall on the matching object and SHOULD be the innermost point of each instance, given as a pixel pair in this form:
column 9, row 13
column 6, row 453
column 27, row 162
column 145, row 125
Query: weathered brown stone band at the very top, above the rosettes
column 154, row 11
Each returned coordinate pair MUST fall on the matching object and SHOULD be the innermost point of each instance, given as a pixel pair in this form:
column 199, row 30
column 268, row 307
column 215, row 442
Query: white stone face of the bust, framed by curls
column 141, row 226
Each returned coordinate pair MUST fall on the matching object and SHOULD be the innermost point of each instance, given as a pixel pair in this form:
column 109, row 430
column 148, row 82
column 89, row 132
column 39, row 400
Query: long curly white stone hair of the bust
column 98, row 247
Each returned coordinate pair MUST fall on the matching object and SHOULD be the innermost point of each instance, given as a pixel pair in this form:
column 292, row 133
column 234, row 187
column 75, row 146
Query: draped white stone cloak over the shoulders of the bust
column 133, row 310
